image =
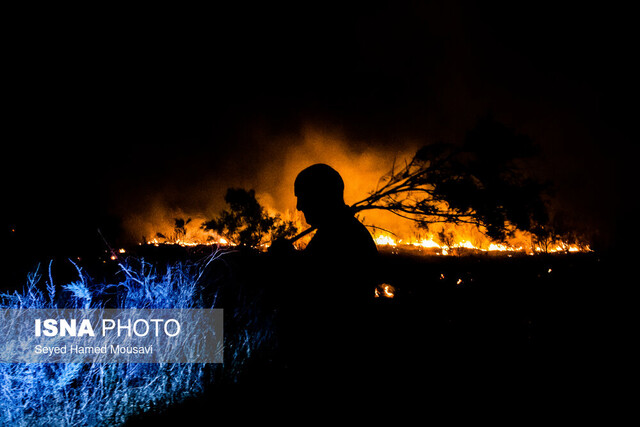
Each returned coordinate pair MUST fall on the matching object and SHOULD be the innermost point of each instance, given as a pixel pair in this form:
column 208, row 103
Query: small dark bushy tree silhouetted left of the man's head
column 246, row 222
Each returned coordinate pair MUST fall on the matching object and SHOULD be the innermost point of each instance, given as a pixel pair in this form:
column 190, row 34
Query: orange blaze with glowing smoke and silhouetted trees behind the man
column 477, row 196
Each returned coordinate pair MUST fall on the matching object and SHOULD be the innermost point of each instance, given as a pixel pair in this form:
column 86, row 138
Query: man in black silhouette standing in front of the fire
column 330, row 284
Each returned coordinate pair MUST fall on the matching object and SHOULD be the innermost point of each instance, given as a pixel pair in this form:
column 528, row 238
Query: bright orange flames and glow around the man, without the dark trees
column 361, row 169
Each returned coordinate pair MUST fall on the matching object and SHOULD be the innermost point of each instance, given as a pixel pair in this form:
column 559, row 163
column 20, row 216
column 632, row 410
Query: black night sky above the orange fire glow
column 107, row 110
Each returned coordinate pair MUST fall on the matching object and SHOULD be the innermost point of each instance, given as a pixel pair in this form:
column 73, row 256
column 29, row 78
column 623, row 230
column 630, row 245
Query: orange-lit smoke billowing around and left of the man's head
column 197, row 192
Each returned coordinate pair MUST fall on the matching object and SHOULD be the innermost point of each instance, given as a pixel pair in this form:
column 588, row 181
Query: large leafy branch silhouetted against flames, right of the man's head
column 479, row 182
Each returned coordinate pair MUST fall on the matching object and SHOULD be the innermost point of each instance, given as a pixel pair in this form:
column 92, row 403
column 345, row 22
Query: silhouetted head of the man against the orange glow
column 320, row 192
